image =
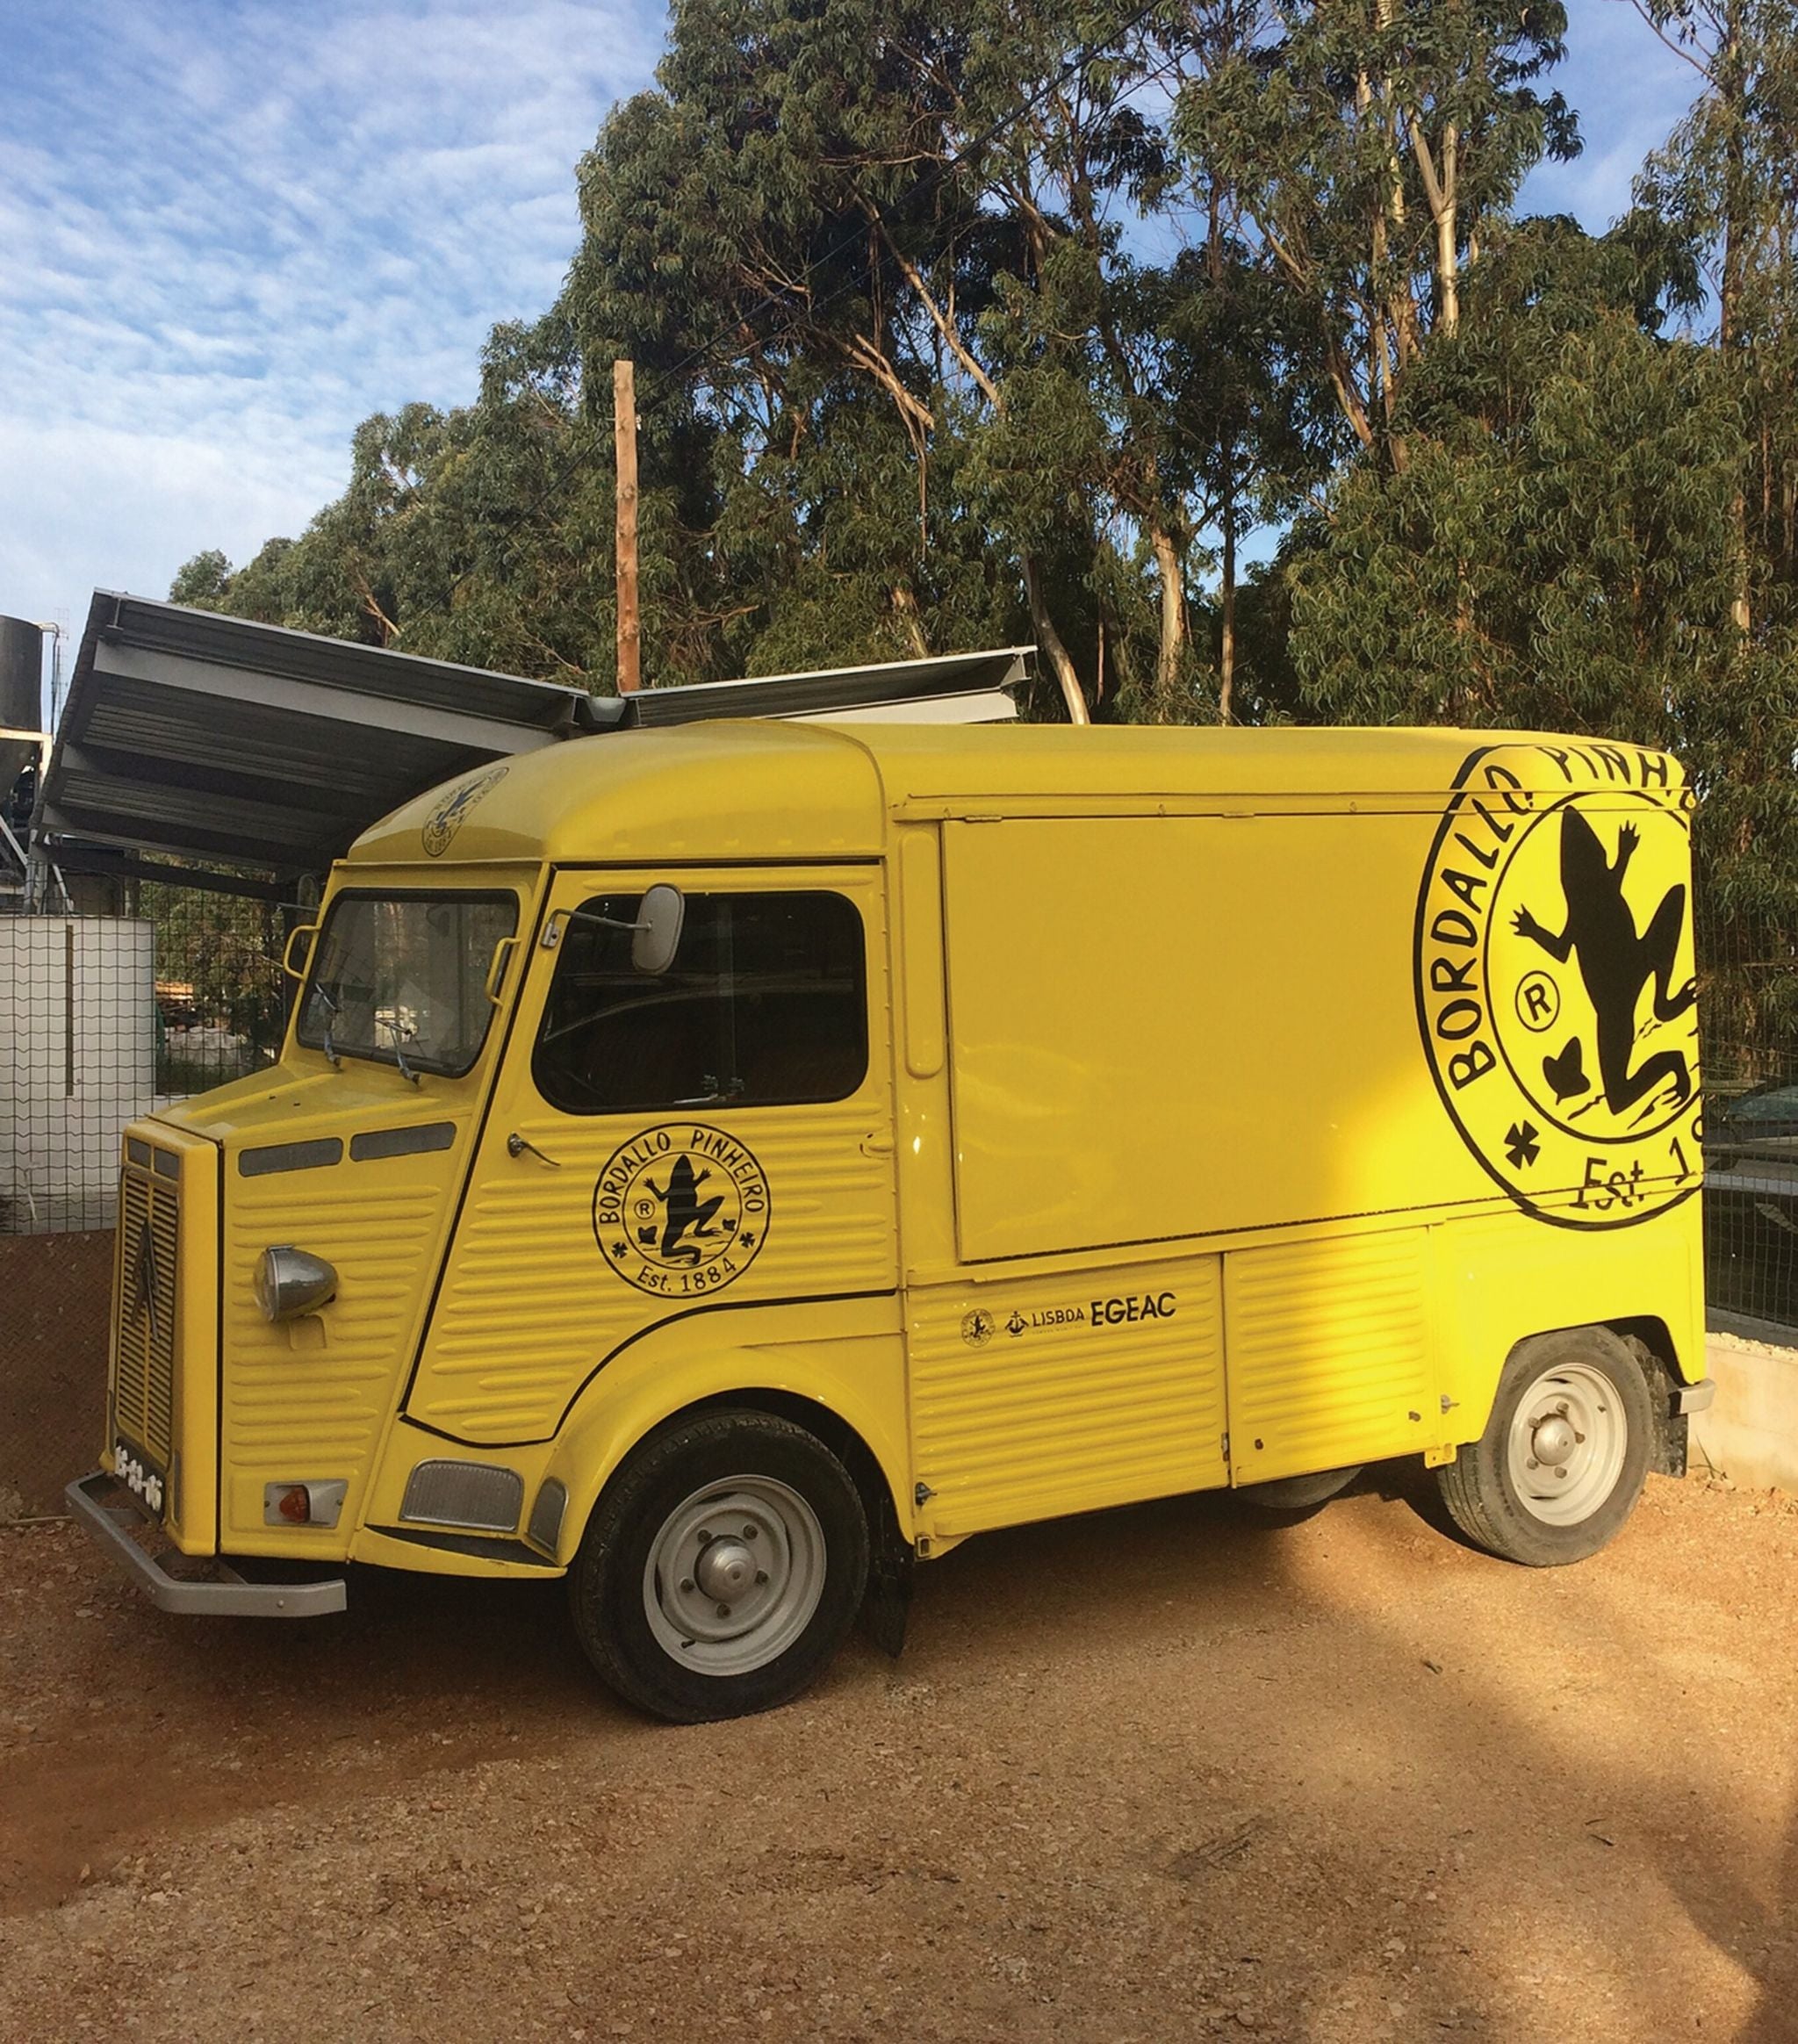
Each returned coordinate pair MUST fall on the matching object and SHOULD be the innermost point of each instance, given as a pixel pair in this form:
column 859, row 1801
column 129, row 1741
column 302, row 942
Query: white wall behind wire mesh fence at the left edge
column 77, row 1064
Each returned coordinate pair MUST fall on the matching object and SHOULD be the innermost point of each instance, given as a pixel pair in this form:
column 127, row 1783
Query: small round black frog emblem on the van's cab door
column 681, row 1209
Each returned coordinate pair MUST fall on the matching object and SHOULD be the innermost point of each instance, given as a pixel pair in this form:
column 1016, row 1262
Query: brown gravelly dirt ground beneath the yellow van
column 1166, row 1773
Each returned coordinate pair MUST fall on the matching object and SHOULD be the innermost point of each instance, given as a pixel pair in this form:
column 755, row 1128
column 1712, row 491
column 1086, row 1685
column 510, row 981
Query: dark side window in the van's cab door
column 763, row 1007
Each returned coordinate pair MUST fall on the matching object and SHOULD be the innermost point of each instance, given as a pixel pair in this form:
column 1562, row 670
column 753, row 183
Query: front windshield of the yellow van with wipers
column 401, row 978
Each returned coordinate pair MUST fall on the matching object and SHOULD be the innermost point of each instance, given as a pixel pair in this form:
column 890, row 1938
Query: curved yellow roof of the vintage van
column 773, row 790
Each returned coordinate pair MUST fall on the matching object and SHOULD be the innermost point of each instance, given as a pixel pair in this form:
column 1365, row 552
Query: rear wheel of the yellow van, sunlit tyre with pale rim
column 1482, row 1487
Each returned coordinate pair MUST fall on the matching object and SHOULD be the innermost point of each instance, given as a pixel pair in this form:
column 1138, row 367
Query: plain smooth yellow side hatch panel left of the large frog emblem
column 1172, row 1027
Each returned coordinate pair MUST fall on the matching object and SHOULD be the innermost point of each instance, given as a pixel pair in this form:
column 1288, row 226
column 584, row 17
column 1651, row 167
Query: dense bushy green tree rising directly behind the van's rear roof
column 1556, row 551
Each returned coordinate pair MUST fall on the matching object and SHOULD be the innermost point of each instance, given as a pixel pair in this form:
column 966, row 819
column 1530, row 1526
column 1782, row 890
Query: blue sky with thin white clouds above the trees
column 230, row 230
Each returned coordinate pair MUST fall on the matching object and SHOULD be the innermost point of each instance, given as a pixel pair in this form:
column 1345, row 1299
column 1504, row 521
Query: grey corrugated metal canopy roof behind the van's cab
column 248, row 745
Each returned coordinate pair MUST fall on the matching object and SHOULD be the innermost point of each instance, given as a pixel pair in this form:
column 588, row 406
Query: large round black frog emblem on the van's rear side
column 1556, row 986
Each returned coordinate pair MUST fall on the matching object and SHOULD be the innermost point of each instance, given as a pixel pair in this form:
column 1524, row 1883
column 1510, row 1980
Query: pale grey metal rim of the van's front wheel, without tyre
column 735, row 1575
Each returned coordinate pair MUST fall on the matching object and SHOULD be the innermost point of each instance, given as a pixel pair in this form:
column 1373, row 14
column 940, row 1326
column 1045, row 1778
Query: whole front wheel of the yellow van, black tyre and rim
column 630, row 1618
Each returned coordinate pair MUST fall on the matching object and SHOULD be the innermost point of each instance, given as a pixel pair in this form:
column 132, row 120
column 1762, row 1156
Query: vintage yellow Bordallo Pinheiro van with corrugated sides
column 726, row 1164
